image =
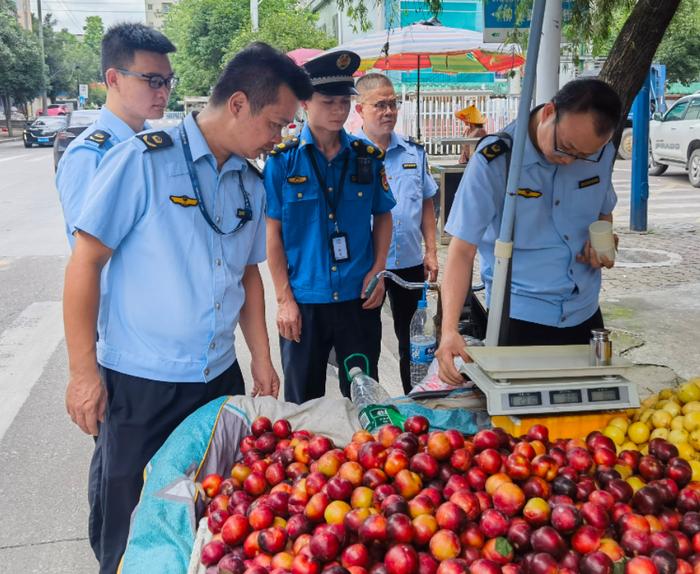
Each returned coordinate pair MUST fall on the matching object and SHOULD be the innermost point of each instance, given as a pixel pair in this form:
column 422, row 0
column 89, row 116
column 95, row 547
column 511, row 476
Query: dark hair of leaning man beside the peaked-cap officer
column 258, row 71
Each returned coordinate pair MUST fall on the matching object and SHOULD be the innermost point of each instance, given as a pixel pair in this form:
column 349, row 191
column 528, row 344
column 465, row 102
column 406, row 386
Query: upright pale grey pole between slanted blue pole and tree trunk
column 547, row 81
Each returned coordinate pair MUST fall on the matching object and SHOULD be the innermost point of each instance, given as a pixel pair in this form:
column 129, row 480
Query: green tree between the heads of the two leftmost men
column 202, row 31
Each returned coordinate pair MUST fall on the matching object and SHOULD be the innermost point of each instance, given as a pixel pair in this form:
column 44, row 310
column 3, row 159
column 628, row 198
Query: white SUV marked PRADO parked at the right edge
column 675, row 139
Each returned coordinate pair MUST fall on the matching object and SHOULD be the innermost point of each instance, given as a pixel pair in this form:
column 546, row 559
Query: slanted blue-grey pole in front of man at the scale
column 504, row 245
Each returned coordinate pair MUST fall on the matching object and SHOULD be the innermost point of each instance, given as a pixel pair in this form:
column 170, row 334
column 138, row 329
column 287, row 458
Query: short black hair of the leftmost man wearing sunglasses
column 121, row 41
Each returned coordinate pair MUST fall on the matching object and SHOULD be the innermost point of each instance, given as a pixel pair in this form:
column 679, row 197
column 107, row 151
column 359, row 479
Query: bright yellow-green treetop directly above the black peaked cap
column 284, row 25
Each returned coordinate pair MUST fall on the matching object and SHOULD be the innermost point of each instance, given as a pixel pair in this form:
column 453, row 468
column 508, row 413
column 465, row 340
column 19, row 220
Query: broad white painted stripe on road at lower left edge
column 25, row 347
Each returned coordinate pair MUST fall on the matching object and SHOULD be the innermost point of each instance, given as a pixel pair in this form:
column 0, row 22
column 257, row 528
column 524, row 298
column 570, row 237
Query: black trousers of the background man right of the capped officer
column 403, row 304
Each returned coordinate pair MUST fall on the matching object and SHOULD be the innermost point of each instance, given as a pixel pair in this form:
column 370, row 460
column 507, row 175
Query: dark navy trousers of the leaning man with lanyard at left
column 140, row 415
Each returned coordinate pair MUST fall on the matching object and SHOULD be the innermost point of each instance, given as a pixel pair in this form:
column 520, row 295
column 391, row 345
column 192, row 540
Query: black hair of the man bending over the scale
column 591, row 95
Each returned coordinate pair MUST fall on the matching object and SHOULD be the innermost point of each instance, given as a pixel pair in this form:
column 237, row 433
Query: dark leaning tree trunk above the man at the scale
column 633, row 51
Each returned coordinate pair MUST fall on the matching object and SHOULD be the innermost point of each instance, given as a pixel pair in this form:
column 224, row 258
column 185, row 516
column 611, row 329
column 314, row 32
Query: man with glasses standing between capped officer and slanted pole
column 413, row 217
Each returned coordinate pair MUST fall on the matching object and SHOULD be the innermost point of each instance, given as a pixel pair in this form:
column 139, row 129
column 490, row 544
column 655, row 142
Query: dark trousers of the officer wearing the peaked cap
column 345, row 326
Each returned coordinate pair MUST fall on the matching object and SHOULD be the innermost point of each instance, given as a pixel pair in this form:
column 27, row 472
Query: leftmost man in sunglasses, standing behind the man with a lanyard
column 138, row 77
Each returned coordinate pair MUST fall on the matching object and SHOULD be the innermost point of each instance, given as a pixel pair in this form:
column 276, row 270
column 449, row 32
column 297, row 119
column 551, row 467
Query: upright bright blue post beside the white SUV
column 640, row 158
